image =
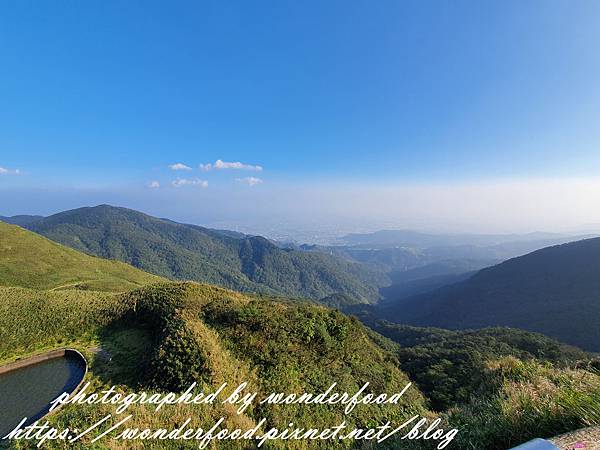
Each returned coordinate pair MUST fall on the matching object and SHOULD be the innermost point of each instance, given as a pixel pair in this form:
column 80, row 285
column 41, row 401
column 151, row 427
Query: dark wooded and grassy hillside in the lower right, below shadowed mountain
column 499, row 386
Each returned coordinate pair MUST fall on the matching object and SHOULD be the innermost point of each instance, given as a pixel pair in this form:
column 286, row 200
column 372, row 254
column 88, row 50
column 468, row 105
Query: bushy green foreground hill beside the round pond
column 188, row 332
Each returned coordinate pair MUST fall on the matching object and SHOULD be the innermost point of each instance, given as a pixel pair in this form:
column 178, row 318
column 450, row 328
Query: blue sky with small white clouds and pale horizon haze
column 442, row 115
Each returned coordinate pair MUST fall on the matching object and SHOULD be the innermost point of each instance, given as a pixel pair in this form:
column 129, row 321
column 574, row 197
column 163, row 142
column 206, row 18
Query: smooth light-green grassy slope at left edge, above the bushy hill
column 30, row 260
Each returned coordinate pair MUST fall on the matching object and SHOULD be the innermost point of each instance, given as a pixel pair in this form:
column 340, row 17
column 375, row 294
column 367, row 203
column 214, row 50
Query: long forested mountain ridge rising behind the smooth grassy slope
column 188, row 252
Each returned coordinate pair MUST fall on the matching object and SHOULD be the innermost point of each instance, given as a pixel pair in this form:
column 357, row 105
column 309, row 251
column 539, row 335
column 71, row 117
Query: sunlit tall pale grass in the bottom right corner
column 530, row 400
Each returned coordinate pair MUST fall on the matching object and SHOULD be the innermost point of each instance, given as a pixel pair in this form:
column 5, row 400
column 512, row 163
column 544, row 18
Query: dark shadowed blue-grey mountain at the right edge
column 554, row 291
